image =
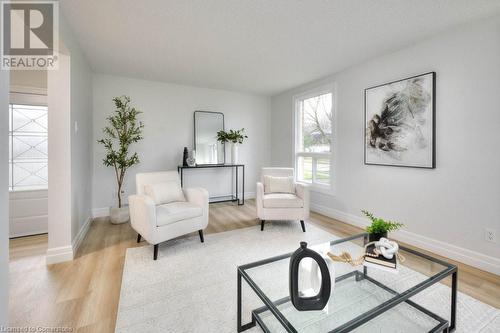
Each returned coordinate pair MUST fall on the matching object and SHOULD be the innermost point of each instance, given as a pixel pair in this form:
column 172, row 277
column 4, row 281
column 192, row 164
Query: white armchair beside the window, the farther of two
column 282, row 206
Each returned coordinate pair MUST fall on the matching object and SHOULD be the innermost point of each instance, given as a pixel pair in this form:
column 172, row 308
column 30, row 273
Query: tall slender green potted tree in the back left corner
column 123, row 130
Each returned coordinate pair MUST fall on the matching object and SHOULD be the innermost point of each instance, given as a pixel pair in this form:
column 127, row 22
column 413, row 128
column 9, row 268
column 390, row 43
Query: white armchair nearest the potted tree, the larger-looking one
column 159, row 223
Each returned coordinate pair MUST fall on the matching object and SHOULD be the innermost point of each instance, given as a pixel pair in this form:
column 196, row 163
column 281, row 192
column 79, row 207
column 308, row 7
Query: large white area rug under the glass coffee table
column 192, row 286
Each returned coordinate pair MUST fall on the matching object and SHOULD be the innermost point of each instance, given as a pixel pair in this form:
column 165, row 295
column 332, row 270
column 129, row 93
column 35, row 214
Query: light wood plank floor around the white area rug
column 84, row 293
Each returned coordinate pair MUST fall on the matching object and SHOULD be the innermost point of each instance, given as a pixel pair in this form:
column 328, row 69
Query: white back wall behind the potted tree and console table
column 168, row 119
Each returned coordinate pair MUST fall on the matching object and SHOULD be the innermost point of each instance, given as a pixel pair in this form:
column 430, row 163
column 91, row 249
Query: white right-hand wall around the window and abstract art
column 456, row 201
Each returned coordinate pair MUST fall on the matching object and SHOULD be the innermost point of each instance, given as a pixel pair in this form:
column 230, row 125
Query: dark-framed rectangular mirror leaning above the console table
column 208, row 149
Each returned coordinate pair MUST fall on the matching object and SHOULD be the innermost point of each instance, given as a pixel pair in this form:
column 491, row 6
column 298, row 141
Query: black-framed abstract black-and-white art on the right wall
column 400, row 122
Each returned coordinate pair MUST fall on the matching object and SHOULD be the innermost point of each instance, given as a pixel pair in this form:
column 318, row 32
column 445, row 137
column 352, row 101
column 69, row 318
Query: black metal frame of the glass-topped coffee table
column 272, row 306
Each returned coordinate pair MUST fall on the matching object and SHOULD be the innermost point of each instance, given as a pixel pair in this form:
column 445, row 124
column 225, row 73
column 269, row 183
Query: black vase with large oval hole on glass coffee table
column 310, row 303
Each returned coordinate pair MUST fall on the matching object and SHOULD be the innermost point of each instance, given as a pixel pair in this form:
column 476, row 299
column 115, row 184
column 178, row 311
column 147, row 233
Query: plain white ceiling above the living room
column 260, row 46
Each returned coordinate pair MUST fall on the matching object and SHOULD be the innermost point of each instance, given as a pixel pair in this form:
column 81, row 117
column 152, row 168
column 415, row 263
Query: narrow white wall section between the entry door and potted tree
column 70, row 148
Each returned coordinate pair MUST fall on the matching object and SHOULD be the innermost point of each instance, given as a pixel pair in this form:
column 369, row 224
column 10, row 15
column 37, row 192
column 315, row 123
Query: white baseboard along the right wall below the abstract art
column 466, row 256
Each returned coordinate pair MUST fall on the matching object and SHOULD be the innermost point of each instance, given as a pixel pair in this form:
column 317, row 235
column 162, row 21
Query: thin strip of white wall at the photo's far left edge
column 4, row 198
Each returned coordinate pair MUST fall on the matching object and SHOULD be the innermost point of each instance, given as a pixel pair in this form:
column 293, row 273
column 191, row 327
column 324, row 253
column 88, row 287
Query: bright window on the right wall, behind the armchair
column 314, row 138
